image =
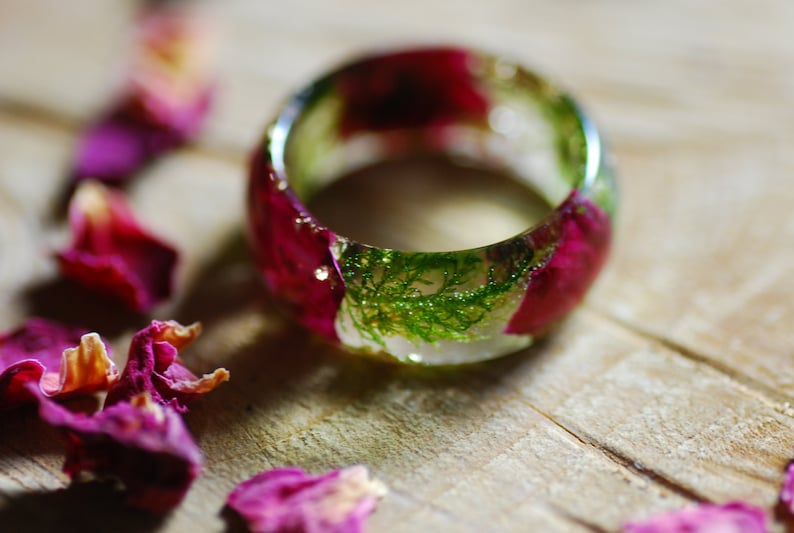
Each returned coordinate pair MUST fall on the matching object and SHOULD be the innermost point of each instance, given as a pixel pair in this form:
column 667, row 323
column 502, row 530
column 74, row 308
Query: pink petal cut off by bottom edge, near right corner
column 738, row 517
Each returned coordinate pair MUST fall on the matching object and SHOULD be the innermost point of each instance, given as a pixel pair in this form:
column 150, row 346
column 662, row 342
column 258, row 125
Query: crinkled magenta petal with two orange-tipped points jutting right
column 154, row 367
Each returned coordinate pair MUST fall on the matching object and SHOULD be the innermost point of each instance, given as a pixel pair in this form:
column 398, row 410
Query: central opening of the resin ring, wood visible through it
column 428, row 203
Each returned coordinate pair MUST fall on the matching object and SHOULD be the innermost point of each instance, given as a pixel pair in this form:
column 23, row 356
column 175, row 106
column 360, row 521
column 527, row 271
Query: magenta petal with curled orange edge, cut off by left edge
column 61, row 360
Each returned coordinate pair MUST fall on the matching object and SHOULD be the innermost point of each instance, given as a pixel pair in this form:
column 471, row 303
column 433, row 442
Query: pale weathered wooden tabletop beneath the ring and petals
column 671, row 385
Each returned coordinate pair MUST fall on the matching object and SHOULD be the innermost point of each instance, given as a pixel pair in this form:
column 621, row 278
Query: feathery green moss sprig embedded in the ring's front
column 429, row 297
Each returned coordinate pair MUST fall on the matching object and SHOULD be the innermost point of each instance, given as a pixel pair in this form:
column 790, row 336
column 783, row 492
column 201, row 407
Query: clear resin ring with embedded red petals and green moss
column 431, row 307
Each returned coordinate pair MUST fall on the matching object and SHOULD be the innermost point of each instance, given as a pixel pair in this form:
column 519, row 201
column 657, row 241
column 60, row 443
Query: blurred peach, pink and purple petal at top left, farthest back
column 165, row 104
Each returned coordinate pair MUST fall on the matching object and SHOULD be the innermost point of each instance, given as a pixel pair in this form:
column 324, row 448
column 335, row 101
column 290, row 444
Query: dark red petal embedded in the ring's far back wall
column 413, row 89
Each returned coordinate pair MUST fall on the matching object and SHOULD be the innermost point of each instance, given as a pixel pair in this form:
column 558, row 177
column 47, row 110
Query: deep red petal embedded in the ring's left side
column 293, row 252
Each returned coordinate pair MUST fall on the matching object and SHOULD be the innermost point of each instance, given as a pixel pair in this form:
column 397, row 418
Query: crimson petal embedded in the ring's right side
column 581, row 231
